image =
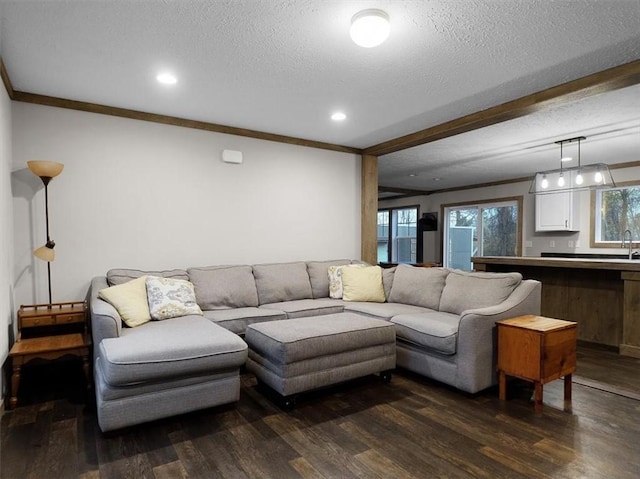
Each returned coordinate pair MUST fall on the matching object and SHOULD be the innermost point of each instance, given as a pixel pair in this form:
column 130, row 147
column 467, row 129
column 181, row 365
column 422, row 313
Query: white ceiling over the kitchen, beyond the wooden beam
column 518, row 148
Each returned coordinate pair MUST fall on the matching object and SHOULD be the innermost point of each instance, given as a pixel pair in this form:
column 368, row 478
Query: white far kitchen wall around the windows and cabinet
column 540, row 242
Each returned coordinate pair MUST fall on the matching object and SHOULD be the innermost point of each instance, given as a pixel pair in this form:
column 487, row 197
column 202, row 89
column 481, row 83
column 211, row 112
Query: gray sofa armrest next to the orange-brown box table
column 477, row 341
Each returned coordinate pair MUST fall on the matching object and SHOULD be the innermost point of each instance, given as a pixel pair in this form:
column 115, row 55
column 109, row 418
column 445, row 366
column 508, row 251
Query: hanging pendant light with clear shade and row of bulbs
column 581, row 177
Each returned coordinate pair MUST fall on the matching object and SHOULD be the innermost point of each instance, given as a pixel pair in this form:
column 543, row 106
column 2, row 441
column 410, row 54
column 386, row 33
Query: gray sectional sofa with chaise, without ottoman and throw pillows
column 444, row 322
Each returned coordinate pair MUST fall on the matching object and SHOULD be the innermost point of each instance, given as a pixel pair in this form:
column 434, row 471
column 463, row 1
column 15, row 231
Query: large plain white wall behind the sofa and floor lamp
column 135, row 194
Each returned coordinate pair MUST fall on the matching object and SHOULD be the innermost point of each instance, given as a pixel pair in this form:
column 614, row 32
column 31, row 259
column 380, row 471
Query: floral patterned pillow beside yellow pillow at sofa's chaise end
column 170, row 298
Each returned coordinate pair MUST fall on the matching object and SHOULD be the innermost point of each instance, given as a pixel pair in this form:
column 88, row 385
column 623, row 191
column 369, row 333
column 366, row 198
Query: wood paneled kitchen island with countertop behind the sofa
column 601, row 295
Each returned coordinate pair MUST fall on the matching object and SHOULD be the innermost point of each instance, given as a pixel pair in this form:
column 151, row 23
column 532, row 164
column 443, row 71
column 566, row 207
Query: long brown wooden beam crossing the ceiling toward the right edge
column 608, row 80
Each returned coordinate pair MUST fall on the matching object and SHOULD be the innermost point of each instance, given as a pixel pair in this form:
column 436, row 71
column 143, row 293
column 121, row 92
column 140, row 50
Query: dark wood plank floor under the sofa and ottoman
column 411, row 427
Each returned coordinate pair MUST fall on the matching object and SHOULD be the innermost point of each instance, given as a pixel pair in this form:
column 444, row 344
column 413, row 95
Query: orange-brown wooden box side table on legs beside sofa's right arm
column 537, row 349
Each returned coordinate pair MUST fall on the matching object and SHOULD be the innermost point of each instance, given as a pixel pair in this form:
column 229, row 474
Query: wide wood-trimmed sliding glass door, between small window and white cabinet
column 481, row 229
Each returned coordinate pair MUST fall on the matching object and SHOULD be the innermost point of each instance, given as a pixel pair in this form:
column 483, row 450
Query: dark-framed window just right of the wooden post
column 397, row 235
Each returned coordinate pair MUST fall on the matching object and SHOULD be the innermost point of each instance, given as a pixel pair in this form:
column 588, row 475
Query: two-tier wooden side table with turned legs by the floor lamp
column 46, row 331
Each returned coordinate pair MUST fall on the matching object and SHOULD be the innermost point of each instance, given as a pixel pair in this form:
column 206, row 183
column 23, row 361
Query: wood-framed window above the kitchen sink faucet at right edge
column 614, row 211
